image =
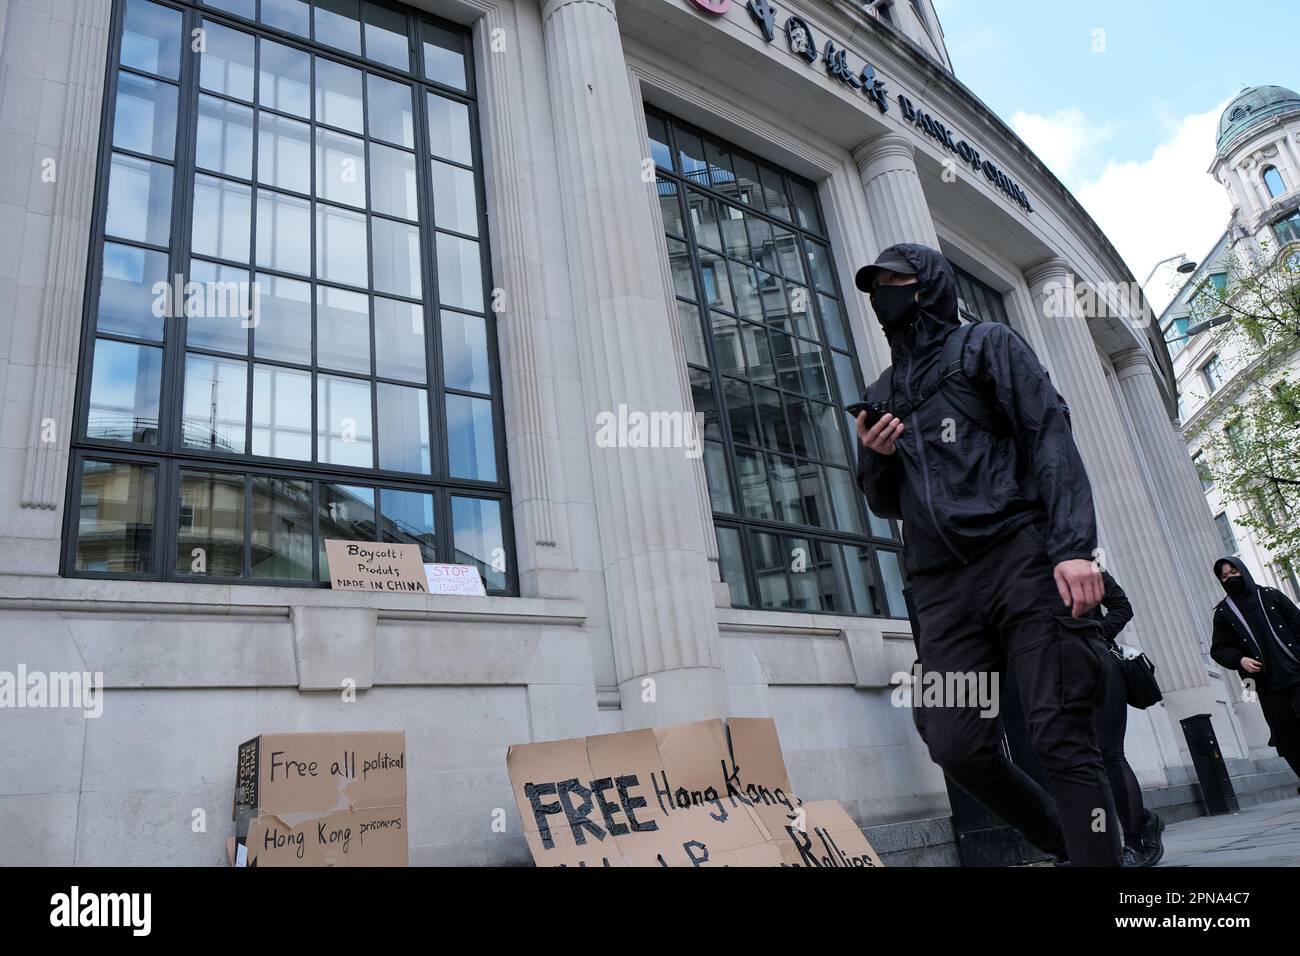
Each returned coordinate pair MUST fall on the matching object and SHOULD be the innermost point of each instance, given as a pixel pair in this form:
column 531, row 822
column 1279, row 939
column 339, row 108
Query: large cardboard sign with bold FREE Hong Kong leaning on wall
column 694, row 795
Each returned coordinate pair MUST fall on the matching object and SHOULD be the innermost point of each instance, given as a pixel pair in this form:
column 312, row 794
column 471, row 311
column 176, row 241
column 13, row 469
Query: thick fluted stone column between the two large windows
column 657, row 576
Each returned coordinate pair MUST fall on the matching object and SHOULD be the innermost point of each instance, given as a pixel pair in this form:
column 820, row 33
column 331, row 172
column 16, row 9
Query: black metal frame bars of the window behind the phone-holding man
column 742, row 524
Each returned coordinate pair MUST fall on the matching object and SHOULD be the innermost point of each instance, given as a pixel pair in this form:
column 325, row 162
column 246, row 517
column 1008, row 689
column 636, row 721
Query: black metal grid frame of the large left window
column 170, row 456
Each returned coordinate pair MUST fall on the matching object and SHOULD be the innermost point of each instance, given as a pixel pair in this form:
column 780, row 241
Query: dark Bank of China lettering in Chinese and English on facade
column 804, row 45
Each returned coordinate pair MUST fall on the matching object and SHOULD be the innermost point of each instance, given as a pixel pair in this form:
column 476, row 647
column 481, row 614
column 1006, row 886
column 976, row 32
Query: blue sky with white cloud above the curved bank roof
column 1130, row 128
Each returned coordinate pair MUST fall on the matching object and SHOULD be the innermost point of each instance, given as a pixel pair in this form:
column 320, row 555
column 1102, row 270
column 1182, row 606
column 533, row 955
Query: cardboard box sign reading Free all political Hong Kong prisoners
column 322, row 801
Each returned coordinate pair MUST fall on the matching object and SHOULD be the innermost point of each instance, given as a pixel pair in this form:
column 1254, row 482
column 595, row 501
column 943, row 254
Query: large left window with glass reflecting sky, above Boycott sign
column 302, row 184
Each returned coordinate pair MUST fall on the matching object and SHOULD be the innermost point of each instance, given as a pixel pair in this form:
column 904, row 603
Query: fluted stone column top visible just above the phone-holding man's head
column 896, row 204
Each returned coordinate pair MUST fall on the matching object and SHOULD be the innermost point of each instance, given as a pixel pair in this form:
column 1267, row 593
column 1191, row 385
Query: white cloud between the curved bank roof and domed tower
column 1162, row 206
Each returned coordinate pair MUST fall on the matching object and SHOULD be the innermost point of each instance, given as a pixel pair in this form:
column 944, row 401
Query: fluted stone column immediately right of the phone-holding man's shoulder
column 1136, row 543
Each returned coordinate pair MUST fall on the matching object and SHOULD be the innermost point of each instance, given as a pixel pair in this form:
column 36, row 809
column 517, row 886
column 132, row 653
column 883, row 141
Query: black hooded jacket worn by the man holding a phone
column 959, row 499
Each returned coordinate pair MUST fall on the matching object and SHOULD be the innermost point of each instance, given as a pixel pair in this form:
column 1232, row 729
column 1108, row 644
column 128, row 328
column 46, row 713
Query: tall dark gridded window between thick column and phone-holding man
column 756, row 287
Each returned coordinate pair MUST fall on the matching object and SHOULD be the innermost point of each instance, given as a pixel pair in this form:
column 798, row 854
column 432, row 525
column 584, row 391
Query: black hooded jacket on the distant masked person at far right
column 1271, row 633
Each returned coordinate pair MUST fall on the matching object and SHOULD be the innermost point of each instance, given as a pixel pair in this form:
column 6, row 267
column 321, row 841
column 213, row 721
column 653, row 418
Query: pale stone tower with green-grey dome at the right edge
column 1258, row 161
